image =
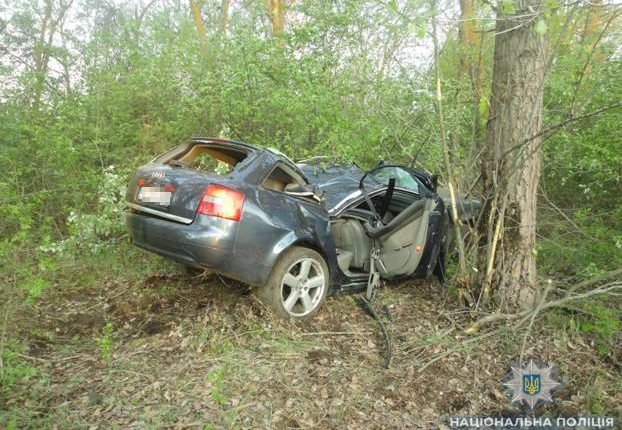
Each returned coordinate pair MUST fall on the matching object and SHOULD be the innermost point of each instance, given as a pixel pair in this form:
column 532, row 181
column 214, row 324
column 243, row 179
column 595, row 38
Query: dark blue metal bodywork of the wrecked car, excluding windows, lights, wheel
column 271, row 221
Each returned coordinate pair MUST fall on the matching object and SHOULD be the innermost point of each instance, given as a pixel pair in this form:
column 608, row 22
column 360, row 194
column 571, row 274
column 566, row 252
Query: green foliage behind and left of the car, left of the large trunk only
column 145, row 87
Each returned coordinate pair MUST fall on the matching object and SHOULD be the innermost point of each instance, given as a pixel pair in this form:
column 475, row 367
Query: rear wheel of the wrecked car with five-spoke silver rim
column 297, row 285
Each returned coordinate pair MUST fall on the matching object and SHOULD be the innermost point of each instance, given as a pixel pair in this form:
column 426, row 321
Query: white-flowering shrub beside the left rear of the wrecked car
column 93, row 232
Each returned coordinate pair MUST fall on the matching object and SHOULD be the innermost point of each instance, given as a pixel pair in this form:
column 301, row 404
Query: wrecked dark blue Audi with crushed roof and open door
column 297, row 232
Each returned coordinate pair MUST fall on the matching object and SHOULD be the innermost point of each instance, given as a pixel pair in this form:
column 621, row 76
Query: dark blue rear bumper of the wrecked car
column 208, row 243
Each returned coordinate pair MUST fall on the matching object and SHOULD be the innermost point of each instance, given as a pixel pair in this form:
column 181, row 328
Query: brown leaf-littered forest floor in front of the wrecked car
column 170, row 350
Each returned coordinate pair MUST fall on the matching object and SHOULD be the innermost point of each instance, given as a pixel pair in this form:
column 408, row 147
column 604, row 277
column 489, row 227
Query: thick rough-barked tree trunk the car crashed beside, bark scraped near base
column 511, row 159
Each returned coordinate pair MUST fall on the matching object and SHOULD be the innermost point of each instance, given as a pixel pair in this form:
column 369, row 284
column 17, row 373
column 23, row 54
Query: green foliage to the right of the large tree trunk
column 581, row 173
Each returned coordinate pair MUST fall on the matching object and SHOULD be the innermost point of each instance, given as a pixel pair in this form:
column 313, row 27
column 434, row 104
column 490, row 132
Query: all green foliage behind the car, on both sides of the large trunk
column 351, row 81
